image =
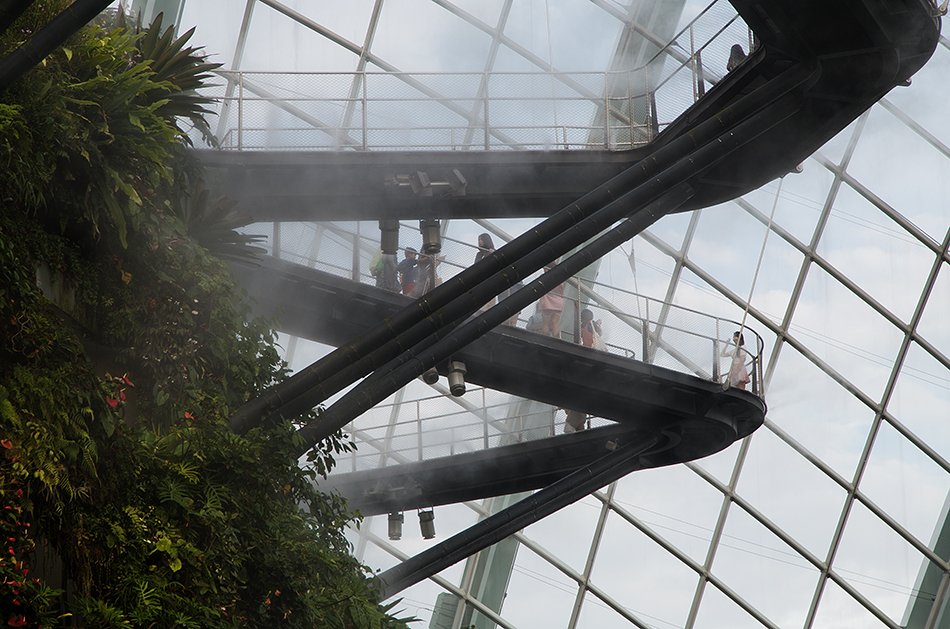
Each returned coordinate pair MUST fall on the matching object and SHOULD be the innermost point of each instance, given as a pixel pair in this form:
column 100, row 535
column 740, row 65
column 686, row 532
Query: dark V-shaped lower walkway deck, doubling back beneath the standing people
column 693, row 416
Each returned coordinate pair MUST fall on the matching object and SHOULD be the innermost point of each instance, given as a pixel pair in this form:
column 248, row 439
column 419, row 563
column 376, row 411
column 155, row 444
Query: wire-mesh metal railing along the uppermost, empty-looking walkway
column 385, row 111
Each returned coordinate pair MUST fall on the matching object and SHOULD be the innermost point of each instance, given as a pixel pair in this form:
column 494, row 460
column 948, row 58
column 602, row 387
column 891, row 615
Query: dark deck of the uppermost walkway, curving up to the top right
column 863, row 49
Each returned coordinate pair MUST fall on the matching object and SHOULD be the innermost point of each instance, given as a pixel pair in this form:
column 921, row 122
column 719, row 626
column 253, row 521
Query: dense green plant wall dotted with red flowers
column 114, row 457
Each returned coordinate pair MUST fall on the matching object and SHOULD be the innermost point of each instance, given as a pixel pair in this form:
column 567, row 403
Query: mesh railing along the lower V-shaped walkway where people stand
column 634, row 326
